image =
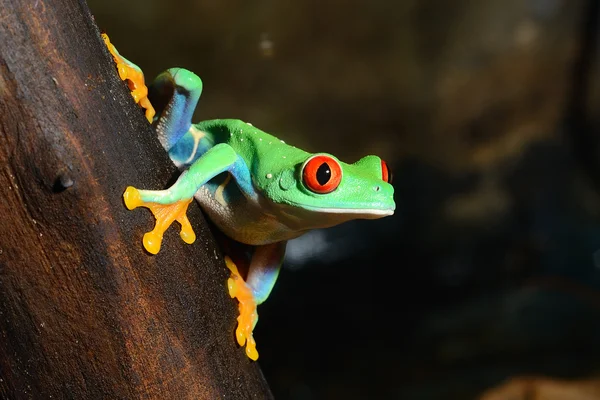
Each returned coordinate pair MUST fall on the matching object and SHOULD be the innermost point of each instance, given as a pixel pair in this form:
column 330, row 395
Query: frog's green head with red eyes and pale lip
column 323, row 191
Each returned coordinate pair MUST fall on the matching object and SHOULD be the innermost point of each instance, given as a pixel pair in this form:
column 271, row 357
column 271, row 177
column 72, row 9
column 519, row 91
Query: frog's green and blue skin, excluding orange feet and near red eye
column 251, row 184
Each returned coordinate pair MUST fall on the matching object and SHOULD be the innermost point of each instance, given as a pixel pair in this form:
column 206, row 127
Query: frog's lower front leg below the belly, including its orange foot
column 262, row 274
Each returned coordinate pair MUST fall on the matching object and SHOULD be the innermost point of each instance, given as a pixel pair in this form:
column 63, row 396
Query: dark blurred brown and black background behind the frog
column 485, row 284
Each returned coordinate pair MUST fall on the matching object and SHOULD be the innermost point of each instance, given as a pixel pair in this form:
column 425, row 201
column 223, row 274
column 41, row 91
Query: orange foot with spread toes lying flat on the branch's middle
column 165, row 214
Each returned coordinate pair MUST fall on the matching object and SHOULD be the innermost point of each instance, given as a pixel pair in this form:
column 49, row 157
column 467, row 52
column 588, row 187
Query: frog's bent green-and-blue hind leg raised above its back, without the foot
column 175, row 94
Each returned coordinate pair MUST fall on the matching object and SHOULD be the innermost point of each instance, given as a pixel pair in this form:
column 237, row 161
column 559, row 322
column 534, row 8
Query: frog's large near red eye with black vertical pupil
column 322, row 174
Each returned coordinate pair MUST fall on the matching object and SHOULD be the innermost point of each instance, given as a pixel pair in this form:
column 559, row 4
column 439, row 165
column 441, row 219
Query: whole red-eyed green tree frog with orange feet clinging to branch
column 254, row 187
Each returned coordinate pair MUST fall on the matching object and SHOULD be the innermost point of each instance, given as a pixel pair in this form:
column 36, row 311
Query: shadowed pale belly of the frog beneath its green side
column 244, row 220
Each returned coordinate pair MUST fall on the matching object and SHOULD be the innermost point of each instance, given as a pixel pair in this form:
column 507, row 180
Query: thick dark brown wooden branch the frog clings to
column 85, row 312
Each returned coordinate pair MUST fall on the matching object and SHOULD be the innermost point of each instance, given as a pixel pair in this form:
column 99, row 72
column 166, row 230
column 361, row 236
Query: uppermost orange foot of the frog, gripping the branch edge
column 135, row 79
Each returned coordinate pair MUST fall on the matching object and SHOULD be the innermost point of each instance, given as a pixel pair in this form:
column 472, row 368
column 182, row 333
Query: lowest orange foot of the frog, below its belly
column 247, row 307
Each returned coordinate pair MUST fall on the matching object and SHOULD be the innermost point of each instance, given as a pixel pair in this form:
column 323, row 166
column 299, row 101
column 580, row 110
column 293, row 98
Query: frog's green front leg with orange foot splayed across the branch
column 171, row 204
